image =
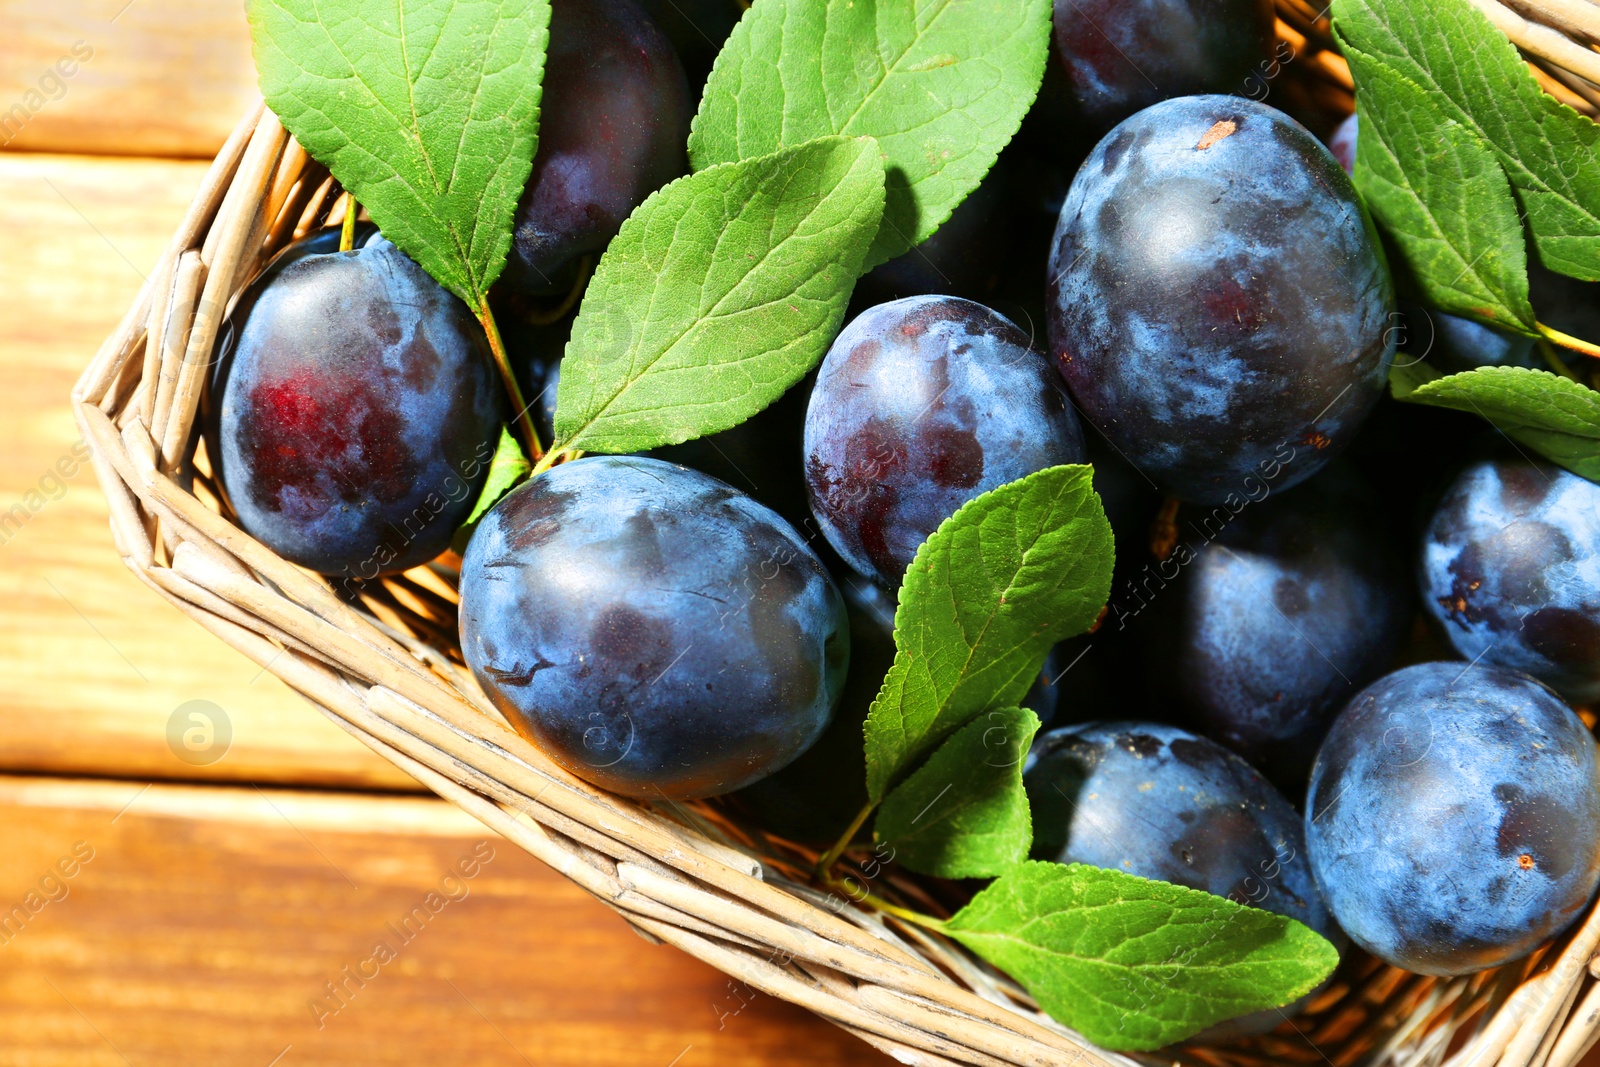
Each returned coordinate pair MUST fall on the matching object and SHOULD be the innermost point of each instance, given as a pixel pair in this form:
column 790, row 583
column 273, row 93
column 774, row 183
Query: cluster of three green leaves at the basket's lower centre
column 1129, row 962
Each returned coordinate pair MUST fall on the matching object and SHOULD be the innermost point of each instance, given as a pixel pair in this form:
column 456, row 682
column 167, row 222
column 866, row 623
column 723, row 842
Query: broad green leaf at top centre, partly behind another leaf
column 942, row 84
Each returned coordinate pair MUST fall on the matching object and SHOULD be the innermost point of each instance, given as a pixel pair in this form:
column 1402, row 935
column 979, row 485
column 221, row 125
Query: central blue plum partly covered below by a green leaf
column 921, row 406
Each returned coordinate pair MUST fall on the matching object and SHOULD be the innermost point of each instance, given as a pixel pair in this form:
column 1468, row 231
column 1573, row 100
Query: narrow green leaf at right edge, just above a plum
column 1553, row 415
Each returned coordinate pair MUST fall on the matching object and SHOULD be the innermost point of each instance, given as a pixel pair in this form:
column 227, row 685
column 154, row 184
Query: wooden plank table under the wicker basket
column 207, row 913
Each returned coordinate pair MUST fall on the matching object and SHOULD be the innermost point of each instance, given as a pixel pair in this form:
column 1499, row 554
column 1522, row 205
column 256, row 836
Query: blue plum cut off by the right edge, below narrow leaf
column 1511, row 570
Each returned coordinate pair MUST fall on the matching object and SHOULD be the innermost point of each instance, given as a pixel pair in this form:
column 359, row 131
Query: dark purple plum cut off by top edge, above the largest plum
column 1126, row 55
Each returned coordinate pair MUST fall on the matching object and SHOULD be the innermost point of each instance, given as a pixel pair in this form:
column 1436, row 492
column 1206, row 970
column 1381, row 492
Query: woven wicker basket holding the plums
column 388, row 669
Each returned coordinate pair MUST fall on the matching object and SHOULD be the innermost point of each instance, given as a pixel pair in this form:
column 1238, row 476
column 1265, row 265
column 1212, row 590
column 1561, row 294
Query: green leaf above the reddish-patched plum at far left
column 426, row 110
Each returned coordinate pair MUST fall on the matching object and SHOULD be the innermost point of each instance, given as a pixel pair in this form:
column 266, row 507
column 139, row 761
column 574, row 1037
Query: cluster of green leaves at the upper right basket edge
column 1462, row 151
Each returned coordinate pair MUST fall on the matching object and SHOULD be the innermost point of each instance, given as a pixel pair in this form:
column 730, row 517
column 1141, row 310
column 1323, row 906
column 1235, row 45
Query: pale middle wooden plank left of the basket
column 94, row 665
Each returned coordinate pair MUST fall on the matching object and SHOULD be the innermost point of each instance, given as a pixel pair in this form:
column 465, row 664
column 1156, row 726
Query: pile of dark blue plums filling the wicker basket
column 1346, row 639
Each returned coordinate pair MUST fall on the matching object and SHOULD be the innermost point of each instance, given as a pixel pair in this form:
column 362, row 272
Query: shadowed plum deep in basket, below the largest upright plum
column 1278, row 617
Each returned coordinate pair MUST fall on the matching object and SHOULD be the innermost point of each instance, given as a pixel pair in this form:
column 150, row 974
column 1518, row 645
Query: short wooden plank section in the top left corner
column 134, row 78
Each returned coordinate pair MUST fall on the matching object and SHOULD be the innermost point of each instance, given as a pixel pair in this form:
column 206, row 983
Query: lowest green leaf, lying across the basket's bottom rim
column 1134, row 964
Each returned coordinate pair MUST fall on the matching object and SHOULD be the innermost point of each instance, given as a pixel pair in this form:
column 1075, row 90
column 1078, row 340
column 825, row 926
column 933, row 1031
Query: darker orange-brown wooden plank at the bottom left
column 214, row 940
